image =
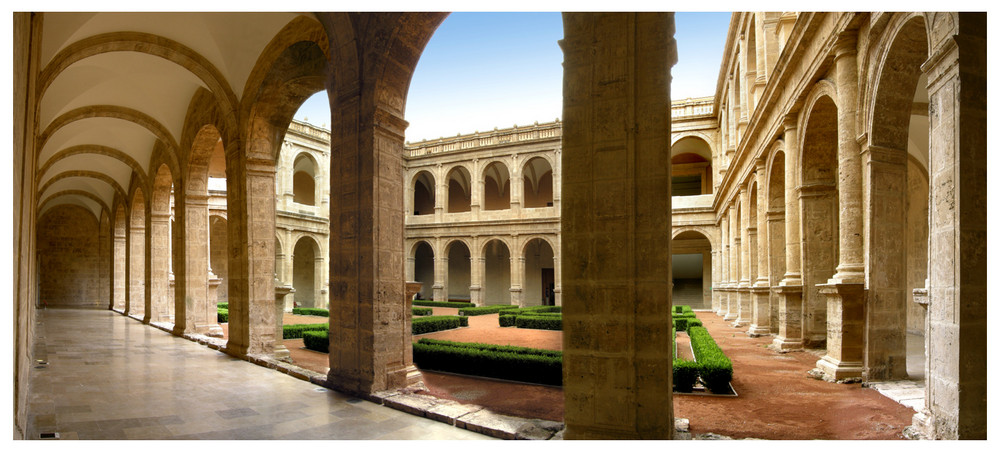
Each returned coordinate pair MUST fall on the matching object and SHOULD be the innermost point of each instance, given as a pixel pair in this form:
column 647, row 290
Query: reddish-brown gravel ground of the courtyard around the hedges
column 776, row 398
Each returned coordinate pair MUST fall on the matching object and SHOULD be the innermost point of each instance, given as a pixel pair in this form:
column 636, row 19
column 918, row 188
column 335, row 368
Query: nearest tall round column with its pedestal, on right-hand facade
column 845, row 290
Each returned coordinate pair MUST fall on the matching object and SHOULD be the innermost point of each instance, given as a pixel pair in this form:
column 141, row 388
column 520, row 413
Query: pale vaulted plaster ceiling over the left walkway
column 153, row 86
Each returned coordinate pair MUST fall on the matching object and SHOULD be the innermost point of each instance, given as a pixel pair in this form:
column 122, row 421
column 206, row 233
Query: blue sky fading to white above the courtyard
column 486, row 70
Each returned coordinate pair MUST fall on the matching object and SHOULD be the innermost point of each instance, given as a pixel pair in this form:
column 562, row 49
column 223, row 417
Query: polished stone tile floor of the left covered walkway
column 109, row 377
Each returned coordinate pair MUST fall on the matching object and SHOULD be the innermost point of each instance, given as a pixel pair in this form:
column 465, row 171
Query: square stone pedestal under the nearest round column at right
column 845, row 331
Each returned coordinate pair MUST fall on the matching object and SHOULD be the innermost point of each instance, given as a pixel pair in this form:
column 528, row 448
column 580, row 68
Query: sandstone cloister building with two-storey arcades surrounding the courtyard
column 834, row 189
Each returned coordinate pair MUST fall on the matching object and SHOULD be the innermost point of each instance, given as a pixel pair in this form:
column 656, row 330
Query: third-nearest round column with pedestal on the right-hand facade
column 761, row 290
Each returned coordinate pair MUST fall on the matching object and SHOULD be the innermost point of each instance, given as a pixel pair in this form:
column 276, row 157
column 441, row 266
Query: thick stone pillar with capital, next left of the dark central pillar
column 369, row 337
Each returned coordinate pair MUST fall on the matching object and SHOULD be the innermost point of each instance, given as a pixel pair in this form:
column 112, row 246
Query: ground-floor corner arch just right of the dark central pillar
column 691, row 270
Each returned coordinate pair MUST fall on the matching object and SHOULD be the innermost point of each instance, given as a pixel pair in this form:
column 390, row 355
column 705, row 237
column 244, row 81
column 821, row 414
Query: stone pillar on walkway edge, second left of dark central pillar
column 250, row 205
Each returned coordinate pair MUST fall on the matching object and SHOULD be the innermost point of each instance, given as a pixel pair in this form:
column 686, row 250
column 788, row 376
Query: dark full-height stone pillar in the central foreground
column 617, row 362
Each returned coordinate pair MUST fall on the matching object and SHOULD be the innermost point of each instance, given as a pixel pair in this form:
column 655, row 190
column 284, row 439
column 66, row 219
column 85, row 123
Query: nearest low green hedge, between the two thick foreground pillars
column 497, row 361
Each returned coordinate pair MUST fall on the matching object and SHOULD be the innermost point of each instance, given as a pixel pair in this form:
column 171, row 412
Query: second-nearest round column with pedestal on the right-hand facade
column 790, row 289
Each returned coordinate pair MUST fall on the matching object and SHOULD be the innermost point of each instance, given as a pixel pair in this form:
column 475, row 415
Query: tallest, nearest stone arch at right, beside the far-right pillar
column 899, row 139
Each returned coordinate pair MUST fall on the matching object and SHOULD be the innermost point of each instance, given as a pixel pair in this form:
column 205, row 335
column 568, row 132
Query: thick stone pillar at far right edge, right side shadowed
column 956, row 84
